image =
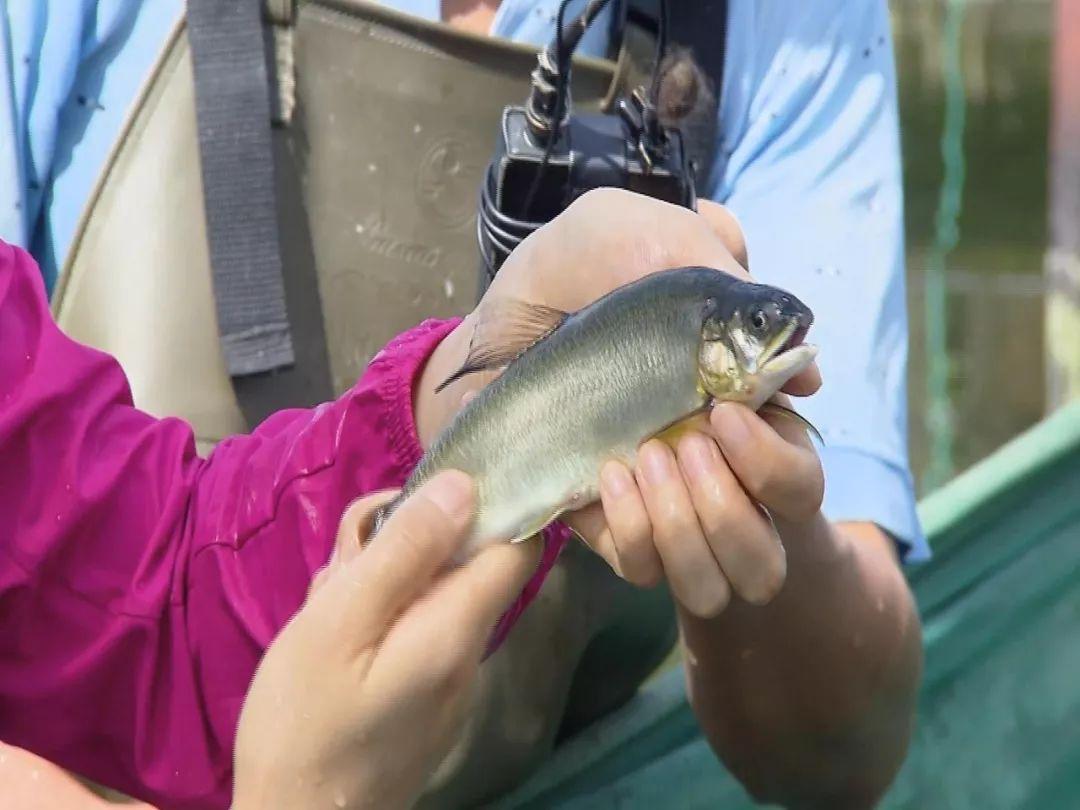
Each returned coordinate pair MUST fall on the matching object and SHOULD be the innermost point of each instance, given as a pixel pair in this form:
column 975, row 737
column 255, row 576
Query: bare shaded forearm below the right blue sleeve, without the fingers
column 811, row 700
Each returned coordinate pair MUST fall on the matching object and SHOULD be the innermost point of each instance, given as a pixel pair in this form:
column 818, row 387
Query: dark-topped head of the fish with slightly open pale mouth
column 753, row 343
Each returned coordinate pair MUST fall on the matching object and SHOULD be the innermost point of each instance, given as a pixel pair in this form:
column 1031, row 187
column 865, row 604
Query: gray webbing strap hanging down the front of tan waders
column 233, row 104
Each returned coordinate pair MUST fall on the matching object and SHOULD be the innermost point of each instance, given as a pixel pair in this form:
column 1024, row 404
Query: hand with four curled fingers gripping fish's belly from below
column 710, row 516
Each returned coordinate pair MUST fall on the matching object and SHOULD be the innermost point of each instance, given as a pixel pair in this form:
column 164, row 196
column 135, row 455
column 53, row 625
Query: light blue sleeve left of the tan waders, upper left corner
column 71, row 74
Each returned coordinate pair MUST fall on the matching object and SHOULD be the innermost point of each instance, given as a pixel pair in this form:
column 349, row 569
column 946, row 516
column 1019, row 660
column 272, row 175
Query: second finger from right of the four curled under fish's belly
column 744, row 541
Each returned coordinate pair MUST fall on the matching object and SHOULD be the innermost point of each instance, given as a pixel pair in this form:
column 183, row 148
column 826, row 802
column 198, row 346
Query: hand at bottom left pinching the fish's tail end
column 367, row 688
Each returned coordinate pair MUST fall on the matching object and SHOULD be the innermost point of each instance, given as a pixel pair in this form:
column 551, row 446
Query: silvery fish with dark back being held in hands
column 585, row 388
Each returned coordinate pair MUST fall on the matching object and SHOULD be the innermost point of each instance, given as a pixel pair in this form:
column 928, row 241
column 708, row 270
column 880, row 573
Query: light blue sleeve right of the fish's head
column 811, row 166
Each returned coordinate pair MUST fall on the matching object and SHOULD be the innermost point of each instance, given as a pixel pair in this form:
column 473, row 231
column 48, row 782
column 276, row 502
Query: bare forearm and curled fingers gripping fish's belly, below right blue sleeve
column 802, row 641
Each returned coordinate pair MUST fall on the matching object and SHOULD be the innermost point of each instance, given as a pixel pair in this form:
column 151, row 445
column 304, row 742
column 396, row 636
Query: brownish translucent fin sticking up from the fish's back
column 506, row 329
